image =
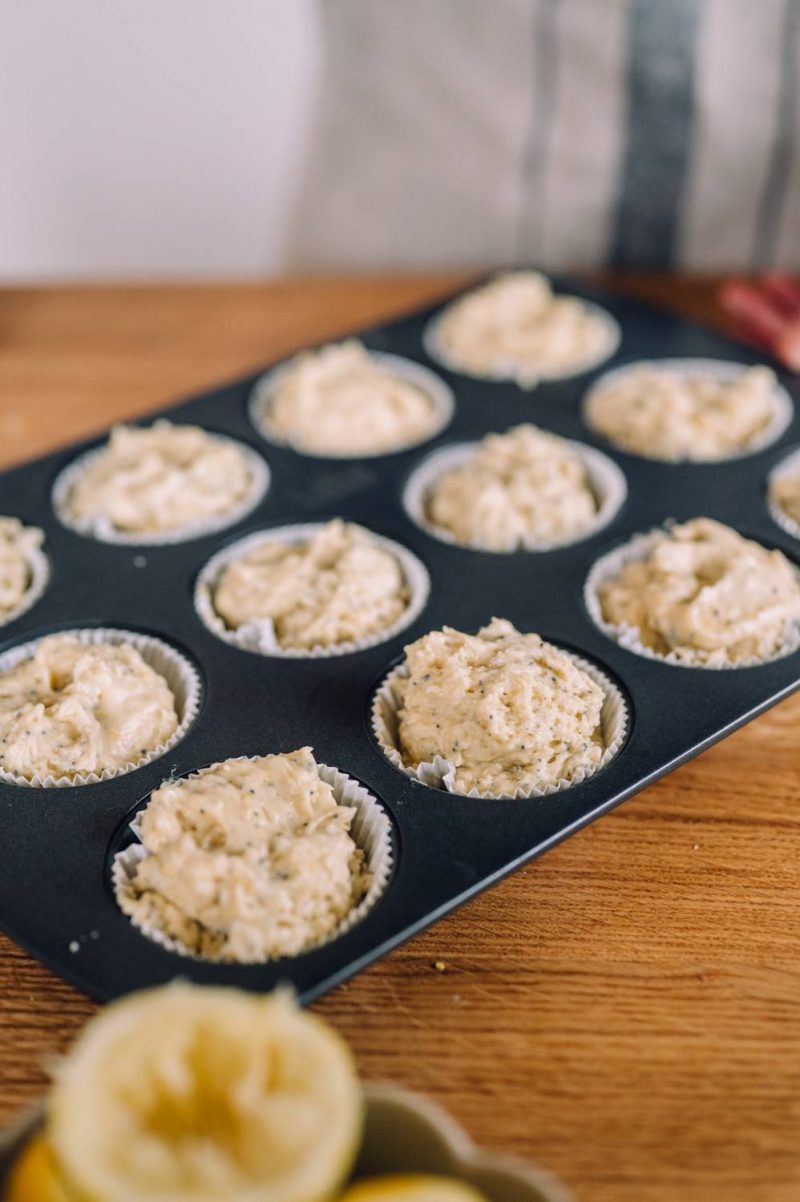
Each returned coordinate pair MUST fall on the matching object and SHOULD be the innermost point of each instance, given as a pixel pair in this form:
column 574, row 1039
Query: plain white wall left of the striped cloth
column 151, row 138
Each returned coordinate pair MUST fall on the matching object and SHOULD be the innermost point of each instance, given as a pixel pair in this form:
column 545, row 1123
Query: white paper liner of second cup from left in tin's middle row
column 260, row 636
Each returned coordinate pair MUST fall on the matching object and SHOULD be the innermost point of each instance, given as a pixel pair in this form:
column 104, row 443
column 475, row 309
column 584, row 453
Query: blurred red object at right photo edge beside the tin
column 767, row 314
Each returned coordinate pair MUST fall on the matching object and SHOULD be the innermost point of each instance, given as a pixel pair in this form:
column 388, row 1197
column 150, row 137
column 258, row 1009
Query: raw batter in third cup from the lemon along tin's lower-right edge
column 707, row 596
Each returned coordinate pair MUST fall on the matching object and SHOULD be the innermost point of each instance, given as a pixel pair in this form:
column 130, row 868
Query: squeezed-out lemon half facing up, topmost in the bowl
column 205, row 1096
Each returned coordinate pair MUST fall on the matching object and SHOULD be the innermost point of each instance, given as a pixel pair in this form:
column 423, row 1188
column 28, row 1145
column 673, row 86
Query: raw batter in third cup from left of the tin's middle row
column 520, row 489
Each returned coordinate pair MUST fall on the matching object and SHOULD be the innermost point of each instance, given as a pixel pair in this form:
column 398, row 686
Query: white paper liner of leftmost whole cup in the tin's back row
column 104, row 531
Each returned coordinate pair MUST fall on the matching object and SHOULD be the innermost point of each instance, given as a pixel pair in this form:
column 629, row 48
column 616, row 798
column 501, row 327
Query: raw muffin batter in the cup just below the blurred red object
column 670, row 415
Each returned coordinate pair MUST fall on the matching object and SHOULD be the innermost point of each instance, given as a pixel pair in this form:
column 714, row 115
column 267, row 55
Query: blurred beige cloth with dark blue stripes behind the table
column 660, row 134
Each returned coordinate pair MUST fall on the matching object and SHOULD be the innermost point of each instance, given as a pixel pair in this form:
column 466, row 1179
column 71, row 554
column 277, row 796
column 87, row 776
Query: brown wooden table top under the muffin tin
column 625, row 1011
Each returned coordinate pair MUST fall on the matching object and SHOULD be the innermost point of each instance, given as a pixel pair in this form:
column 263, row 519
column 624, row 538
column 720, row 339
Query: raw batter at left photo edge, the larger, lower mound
column 76, row 709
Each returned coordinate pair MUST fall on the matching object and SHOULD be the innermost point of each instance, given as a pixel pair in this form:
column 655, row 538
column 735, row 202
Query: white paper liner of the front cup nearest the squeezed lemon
column 371, row 831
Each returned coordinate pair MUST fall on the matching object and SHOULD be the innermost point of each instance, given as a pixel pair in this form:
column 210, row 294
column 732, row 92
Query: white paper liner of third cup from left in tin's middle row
column 607, row 483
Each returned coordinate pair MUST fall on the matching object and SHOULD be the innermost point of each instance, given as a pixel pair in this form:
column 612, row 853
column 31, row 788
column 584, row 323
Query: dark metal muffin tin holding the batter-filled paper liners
column 56, row 896
